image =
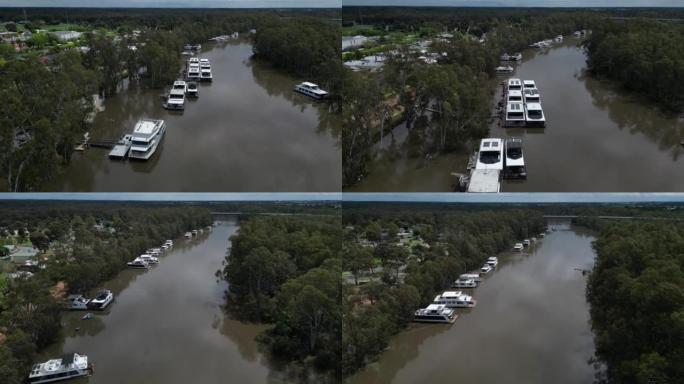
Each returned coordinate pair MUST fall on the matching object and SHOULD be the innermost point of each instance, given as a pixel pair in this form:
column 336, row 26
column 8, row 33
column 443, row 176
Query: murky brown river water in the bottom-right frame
column 530, row 325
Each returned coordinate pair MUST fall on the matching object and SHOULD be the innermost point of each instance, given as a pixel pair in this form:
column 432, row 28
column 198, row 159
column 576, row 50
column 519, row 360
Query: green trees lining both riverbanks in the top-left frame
column 52, row 85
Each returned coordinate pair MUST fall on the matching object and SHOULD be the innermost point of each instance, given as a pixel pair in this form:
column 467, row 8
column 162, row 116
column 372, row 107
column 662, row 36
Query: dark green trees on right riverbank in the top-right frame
column 645, row 56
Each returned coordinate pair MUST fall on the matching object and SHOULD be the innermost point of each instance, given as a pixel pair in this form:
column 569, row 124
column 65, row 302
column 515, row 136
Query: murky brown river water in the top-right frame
column 597, row 139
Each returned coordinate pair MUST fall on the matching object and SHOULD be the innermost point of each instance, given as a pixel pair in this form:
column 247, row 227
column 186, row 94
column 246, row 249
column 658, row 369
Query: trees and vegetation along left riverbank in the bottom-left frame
column 86, row 247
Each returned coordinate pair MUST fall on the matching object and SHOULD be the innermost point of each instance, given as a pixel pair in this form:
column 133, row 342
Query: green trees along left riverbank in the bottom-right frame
column 373, row 312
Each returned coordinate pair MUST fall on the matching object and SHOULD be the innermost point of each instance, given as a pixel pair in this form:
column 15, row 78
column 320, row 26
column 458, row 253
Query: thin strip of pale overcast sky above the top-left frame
column 174, row 3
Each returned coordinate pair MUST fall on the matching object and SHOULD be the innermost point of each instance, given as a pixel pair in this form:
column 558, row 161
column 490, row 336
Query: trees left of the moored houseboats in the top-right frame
column 446, row 106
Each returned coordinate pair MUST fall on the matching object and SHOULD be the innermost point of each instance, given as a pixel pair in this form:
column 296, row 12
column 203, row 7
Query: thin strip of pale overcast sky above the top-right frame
column 522, row 3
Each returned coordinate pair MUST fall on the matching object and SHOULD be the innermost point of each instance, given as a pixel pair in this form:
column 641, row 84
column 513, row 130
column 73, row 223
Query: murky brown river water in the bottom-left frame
column 167, row 325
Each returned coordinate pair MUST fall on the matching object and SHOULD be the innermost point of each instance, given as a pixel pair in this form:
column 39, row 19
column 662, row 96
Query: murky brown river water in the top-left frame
column 247, row 131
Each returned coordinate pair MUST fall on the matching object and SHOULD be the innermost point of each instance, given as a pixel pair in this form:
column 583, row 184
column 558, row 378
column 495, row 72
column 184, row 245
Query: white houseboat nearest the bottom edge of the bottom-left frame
column 67, row 367
